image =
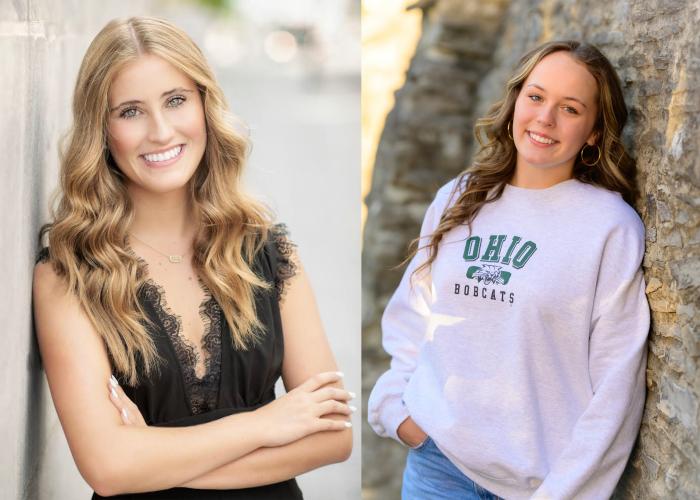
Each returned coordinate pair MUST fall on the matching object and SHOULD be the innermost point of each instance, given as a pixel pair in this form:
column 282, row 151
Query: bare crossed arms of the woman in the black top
column 289, row 436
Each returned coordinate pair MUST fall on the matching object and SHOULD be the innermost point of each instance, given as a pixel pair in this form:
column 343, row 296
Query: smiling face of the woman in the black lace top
column 156, row 125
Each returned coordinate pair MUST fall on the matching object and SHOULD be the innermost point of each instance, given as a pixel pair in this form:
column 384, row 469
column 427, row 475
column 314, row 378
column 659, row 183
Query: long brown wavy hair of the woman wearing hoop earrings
column 494, row 162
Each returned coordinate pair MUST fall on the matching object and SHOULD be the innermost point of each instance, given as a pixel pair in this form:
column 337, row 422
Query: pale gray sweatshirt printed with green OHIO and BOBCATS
column 522, row 352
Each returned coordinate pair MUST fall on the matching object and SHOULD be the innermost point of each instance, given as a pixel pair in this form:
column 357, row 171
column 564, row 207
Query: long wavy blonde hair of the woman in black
column 87, row 239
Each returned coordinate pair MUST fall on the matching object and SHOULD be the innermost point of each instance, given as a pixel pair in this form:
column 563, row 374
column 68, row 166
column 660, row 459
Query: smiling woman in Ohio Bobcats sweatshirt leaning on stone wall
column 518, row 332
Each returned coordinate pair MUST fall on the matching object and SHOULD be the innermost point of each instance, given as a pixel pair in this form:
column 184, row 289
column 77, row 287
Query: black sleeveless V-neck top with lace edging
column 233, row 381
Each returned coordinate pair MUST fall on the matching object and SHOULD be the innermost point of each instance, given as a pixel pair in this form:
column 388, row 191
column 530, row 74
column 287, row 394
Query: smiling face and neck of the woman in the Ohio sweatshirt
column 554, row 116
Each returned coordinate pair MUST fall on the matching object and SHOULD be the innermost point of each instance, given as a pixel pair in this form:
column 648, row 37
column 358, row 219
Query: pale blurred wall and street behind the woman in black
column 291, row 73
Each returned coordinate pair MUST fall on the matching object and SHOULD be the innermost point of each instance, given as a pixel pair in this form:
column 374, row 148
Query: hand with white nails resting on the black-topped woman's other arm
column 299, row 412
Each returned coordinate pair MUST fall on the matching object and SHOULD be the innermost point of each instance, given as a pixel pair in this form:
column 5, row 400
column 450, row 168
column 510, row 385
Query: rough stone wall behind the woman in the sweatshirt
column 466, row 52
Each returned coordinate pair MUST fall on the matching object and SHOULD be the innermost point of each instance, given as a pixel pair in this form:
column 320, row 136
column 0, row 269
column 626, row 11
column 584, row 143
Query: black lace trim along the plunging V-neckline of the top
column 202, row 393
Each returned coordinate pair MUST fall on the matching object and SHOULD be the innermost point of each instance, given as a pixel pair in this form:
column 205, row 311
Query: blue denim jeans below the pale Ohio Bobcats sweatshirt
column 429, row 475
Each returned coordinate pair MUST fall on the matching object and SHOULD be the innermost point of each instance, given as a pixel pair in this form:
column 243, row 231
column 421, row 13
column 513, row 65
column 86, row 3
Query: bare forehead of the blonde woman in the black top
column 146, row 77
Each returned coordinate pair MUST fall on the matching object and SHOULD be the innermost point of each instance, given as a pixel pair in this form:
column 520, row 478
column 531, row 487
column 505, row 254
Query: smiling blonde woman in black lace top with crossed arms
column 167, row 304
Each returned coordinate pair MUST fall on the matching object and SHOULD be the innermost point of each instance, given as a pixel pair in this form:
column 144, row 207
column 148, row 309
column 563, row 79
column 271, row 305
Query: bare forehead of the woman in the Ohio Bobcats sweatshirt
column 563, row 76
